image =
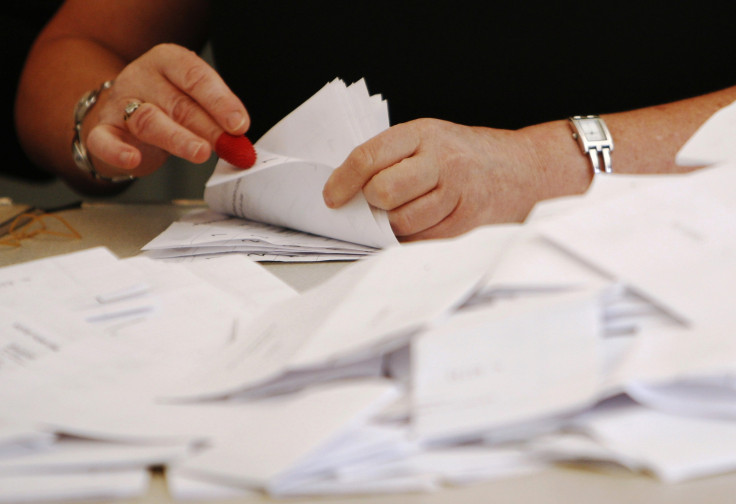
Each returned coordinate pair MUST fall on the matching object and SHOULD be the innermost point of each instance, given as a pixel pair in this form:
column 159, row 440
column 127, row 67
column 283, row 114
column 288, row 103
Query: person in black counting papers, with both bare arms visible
column 479, row 95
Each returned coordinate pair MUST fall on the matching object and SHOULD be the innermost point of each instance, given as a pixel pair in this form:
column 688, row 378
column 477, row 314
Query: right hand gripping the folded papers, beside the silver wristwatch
column 440, row 179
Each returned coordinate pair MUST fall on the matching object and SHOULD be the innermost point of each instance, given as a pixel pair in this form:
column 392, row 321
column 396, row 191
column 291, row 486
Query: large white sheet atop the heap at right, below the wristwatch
column 682, row 223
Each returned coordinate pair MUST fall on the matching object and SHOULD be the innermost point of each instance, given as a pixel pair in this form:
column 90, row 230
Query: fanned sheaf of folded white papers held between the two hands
column 295, row 159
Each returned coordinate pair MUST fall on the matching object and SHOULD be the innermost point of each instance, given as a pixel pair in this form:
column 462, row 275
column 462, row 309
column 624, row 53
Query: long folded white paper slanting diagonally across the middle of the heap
column 367, row 309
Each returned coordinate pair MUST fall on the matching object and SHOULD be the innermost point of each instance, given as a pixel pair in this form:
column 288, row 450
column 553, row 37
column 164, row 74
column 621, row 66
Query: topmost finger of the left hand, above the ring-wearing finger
column 204, row 85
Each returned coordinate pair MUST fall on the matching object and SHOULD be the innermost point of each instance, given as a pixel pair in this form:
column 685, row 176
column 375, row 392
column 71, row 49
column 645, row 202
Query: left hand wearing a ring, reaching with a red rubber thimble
column 184, row 107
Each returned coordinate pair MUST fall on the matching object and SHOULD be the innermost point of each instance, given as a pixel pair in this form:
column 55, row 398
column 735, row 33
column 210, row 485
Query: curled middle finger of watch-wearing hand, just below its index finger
column 401, row 183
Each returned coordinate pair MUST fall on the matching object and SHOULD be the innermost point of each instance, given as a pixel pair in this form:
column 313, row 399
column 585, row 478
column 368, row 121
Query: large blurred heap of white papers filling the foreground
column 601, row 329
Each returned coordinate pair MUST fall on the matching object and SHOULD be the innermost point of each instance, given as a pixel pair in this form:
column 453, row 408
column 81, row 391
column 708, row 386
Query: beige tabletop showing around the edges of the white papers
column 125, row 228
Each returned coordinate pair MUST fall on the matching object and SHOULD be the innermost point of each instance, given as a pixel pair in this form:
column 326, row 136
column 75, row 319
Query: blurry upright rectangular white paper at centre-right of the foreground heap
column 473, row 374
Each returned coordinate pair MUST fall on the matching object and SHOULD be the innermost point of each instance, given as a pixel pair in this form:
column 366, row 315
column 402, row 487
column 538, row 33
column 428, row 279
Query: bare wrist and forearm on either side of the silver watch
column 645, row 141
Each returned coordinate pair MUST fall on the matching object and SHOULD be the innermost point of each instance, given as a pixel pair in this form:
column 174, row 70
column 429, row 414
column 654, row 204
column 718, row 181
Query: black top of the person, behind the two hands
column 497, row 64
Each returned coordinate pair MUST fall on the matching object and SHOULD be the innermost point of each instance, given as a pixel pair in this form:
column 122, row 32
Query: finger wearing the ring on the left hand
column 151, row 125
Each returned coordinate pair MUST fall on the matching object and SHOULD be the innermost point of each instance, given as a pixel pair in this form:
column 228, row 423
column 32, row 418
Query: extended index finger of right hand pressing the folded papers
column 366, row 160
